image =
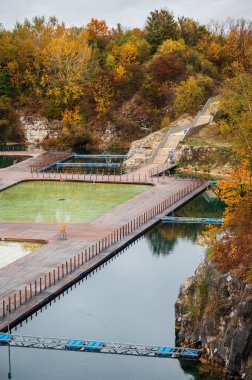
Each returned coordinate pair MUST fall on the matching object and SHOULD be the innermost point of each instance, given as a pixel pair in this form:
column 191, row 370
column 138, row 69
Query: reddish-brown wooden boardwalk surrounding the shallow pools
column 36, row 278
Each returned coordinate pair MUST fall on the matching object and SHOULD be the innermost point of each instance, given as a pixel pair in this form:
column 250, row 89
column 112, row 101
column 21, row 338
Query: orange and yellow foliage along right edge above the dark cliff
column 231, row 250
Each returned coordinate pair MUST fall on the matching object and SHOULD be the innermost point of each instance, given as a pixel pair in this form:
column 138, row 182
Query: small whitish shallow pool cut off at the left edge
column 13, row 250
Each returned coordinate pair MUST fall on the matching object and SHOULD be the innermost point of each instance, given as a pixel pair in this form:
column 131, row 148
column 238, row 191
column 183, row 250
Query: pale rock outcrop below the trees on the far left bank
column 38, row 128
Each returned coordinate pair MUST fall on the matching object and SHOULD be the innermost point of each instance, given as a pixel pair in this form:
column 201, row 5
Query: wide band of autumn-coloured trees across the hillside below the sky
column 133, row 80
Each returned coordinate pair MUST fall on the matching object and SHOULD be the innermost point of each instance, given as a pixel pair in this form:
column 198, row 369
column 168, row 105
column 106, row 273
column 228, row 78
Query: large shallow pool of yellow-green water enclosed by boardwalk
column 63, row 202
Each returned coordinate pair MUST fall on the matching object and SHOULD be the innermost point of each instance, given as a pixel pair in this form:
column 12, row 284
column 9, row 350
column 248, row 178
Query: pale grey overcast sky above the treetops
column 130, row 13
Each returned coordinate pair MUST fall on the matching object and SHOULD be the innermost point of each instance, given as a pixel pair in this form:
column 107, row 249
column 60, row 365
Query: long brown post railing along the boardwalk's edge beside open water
column 40, row 284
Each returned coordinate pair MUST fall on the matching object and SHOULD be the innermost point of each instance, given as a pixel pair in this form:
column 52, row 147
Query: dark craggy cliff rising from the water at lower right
column 216, row 310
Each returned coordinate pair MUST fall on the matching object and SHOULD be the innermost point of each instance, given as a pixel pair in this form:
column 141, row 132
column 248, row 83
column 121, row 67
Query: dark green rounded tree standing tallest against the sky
column 160, row 26
